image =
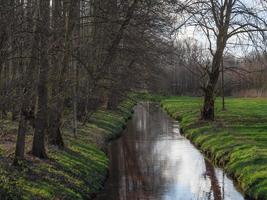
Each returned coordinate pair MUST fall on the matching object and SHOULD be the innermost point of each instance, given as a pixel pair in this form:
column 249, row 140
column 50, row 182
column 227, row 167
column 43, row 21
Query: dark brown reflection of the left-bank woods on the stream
column 142, row 167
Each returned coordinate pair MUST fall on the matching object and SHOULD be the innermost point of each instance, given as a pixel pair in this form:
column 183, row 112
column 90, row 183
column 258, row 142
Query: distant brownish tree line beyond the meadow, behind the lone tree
column 244, row 76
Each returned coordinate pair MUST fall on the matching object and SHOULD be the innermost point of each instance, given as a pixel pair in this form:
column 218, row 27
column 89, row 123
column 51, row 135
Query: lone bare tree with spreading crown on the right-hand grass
column 222, row 21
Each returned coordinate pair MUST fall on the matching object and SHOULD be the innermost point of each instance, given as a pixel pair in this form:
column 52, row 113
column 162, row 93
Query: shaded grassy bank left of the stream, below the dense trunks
column 77, row 172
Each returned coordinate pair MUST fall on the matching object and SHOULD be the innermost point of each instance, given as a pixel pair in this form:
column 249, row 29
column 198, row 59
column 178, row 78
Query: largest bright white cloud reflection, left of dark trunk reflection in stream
column 183, row 170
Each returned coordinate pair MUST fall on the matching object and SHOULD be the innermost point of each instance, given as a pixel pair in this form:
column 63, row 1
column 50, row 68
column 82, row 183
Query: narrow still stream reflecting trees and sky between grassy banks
column 152, row 161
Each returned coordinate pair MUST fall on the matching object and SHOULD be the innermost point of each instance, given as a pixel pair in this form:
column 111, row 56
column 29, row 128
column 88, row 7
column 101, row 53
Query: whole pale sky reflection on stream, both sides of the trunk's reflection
column 185, row 169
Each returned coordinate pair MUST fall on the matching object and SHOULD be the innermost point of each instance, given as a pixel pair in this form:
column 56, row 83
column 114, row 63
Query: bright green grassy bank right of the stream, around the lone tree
column 237, row 140
